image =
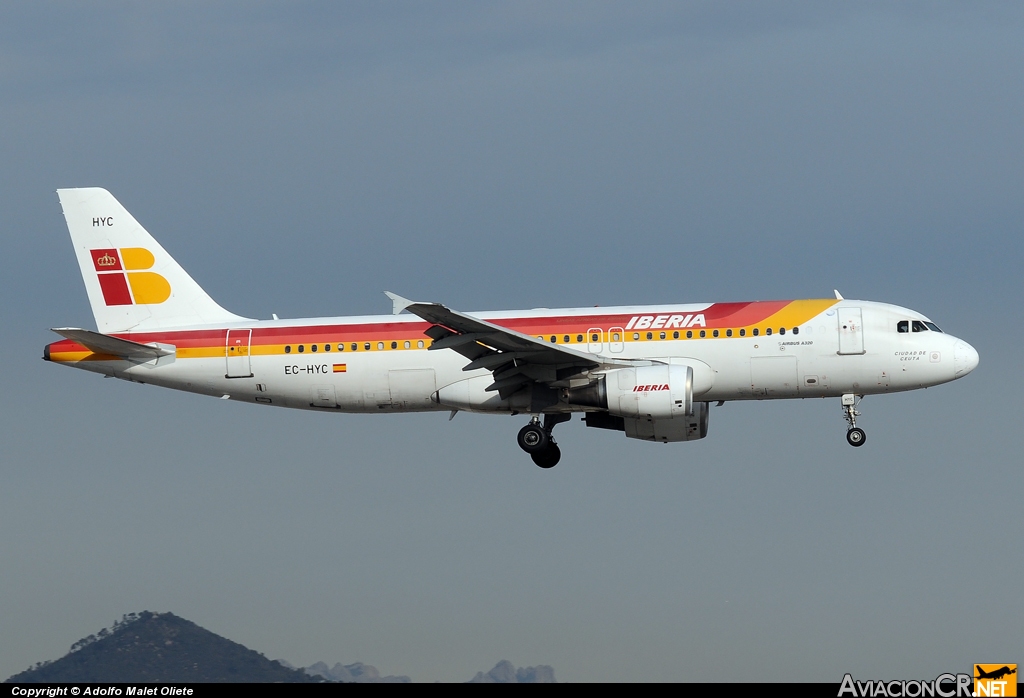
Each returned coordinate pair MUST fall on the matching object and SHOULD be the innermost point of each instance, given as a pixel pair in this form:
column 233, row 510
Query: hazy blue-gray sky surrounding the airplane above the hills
column 302, row 158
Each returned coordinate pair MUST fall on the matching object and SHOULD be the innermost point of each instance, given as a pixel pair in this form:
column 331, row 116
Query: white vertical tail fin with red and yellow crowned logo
column 134, row 284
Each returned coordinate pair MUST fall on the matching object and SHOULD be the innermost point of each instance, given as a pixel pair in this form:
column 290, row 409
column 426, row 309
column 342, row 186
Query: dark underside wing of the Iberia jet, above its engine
column 516, row 360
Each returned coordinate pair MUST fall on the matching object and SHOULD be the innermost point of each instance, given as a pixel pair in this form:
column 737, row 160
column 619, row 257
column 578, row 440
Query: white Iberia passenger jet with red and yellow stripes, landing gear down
column 651, row 372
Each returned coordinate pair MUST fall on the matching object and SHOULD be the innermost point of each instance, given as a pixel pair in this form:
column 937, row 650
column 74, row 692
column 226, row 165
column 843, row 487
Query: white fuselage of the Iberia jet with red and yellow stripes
column 393, row 369
